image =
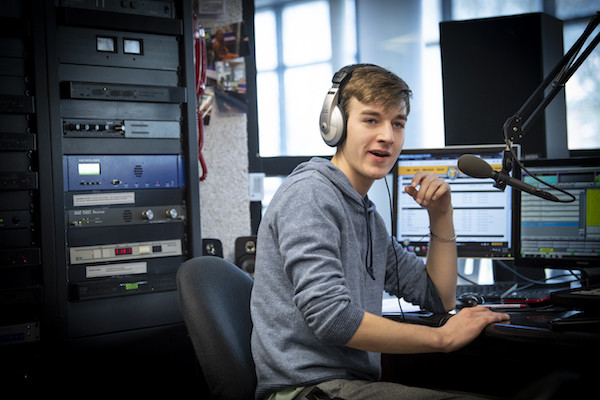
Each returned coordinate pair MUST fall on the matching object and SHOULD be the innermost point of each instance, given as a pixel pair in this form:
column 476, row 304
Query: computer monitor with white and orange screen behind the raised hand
column 483, row 215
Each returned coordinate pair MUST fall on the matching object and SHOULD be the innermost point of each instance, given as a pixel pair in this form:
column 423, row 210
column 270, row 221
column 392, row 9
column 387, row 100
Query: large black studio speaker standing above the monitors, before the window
column 490, row 67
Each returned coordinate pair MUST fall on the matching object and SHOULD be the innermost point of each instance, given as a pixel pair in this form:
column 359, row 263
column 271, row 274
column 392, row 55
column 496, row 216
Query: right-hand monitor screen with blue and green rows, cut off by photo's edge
column 560, row 235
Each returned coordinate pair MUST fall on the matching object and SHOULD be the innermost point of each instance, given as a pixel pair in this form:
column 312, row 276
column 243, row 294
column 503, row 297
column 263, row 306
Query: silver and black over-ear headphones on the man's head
column 332, row 121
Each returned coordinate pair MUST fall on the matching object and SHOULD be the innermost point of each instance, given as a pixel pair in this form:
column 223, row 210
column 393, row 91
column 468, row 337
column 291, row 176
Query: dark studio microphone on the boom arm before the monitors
column 475, row 167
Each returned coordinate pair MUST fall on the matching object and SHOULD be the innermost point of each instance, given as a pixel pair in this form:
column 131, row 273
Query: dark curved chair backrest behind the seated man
column 215, row 300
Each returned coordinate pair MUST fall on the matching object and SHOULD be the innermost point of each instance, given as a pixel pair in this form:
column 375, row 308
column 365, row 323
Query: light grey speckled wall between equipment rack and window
column 224, row 200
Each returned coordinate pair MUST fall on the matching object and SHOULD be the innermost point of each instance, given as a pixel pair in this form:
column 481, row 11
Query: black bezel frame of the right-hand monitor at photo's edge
column 550, row 263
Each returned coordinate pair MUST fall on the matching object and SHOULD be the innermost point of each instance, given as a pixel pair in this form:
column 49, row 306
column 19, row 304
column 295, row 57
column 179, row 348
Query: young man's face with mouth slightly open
column 374, row 139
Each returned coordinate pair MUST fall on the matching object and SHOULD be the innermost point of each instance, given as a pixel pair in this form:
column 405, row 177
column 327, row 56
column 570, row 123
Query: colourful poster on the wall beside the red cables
column 227, row 47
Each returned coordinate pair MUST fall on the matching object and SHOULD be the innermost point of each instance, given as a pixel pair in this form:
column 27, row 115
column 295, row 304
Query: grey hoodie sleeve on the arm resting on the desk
column 310, row 240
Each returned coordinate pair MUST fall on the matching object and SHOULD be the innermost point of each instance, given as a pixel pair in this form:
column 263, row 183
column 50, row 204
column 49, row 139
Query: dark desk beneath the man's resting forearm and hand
column 506, row 359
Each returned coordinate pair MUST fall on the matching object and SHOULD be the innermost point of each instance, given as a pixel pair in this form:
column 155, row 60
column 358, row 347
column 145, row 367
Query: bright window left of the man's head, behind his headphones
column 296, row 56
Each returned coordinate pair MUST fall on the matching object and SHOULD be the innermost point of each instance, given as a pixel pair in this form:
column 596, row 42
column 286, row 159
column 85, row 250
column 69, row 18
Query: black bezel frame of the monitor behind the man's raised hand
column 464, row 149
